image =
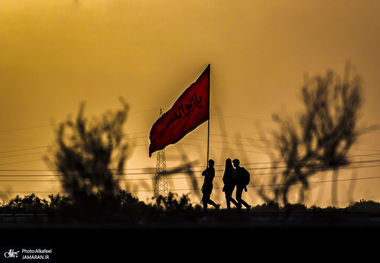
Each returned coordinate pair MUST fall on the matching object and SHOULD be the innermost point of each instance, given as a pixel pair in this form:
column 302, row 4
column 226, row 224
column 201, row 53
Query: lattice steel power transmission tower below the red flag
column 161, row 184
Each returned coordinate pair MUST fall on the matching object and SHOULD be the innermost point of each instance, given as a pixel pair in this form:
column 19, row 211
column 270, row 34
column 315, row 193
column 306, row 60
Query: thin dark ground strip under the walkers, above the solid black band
column 209, row 220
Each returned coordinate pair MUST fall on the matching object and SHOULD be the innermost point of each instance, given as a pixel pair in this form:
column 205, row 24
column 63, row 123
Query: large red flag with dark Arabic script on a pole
column 189, row 111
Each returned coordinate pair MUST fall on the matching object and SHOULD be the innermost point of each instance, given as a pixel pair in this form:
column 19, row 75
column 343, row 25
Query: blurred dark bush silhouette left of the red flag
column 89, row 156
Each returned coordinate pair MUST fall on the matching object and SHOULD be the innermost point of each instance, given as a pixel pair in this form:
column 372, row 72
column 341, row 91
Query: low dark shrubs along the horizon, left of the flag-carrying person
column 125, row 209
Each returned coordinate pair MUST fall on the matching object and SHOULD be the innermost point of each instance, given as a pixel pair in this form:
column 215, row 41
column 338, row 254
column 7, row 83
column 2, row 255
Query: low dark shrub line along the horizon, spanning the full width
column 130, row 211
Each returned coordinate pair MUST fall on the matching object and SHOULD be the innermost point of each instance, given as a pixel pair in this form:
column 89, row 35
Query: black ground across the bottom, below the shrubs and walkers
column 217, row 234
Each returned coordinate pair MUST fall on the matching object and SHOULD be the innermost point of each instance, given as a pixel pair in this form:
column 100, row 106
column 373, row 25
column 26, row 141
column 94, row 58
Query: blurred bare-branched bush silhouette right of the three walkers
column 319, row 138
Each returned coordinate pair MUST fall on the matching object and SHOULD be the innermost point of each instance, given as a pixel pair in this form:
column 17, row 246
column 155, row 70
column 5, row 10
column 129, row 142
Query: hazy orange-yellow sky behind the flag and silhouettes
column 53, row 55
